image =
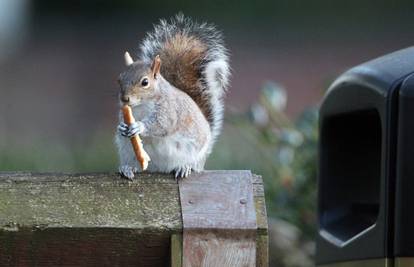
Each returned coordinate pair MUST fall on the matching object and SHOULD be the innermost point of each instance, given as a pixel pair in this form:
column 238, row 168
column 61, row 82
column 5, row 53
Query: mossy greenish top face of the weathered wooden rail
column 89, row 200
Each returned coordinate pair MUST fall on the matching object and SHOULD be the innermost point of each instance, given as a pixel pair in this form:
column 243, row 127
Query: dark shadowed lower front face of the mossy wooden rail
column 83, row 247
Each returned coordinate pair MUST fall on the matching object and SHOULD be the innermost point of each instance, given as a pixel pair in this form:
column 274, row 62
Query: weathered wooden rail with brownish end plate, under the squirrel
column 216, row 218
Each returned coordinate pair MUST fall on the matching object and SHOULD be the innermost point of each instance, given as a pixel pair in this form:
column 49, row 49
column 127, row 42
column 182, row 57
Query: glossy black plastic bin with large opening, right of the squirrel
column 366, row 141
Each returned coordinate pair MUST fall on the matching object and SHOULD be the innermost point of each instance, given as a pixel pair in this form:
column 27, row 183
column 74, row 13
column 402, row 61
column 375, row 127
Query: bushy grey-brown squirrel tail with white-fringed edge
column 194, row 60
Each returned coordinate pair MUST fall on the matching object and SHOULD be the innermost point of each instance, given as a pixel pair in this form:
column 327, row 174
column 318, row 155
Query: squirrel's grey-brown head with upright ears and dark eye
column 139, row 81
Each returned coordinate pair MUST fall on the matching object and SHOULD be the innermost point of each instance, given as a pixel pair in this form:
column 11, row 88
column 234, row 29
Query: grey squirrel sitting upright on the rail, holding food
column 175, row 89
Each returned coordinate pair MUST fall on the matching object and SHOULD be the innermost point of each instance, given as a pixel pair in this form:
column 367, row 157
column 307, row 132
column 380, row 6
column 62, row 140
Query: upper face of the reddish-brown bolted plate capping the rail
column 212, row 201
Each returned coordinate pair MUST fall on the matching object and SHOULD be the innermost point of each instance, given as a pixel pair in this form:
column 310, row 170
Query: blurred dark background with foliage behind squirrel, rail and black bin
column 59, row 61
